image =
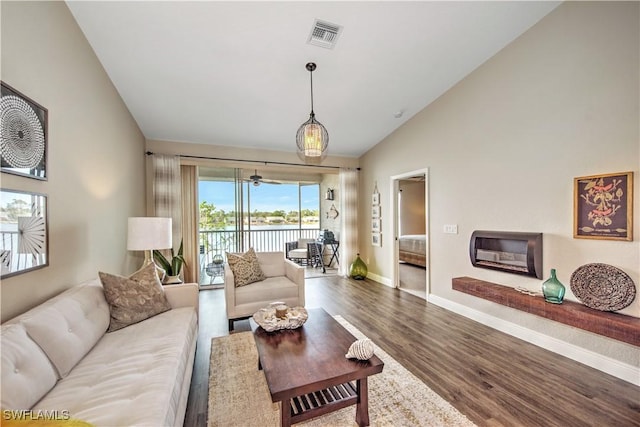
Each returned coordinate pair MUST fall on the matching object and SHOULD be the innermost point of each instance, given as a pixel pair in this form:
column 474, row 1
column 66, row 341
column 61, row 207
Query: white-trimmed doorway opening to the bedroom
column 411, row 231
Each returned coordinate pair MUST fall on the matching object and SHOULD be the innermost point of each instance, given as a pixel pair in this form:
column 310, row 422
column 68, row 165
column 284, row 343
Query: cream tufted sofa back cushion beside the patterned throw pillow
column 69, row 325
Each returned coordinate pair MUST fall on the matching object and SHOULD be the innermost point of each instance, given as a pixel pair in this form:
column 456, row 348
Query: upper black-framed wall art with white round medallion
column 24, row 134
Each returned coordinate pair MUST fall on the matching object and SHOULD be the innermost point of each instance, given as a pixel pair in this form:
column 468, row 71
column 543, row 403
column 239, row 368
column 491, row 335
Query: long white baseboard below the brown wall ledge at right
column 597, row 361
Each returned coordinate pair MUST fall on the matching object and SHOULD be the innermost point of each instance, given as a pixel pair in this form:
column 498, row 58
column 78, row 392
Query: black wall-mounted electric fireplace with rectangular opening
column 509, row 251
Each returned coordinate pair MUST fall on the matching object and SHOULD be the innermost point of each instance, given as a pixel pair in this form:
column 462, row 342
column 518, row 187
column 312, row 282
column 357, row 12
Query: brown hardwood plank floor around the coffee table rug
column 491, row 377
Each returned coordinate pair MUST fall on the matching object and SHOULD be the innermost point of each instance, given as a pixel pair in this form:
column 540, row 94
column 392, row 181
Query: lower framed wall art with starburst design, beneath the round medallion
column 24, row 231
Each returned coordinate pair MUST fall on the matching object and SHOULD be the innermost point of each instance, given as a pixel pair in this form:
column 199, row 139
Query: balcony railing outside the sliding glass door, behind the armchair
column 218, row 242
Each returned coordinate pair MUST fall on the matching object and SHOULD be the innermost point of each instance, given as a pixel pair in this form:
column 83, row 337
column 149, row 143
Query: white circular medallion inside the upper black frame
column 21, row 134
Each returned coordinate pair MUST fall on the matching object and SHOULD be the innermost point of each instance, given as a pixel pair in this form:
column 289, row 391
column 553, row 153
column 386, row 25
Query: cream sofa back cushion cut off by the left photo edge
column 27, row 373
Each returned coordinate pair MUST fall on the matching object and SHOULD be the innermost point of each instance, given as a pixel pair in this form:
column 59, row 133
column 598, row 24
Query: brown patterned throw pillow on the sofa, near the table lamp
column 134, row 299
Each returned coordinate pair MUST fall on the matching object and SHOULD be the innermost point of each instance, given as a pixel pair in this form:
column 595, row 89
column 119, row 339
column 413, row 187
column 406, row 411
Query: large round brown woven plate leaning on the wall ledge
column 603, row 287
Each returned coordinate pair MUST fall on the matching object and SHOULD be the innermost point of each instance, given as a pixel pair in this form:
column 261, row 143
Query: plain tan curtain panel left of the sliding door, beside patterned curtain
column 189, row 178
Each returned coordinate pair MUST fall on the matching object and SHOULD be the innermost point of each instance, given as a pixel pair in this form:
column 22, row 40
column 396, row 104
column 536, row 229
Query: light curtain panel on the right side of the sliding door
column 349, row 213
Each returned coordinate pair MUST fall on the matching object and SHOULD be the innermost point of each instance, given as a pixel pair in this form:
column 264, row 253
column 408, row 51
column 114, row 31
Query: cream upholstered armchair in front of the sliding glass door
column 284, row 282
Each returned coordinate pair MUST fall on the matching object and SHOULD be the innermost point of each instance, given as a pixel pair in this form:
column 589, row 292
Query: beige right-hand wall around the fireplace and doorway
column 503, row 146
